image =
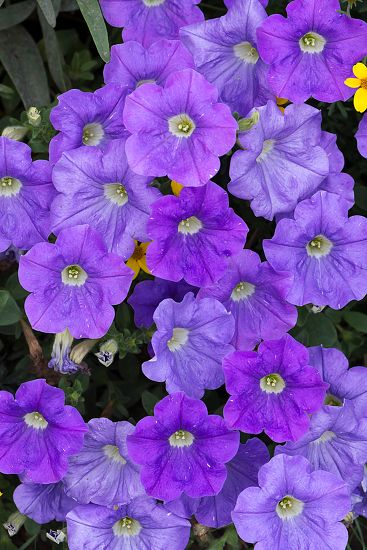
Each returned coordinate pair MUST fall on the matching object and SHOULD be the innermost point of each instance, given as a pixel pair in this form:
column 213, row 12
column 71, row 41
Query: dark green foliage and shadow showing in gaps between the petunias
column 50, row 46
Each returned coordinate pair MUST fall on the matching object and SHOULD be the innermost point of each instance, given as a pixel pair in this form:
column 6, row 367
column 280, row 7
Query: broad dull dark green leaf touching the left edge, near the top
column 22, row 61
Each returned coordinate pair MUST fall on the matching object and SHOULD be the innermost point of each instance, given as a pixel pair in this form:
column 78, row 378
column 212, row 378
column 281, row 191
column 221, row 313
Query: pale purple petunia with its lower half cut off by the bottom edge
column 141, row 524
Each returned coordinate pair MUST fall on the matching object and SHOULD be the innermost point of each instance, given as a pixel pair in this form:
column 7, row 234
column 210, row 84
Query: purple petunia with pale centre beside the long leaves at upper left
column 87, row 119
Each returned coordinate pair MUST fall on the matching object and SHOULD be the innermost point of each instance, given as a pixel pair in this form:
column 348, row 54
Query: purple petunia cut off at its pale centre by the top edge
column 146, row 21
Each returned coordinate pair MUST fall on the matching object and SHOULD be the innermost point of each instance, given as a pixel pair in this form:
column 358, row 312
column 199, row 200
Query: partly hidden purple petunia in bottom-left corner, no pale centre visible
column 43, row 503
